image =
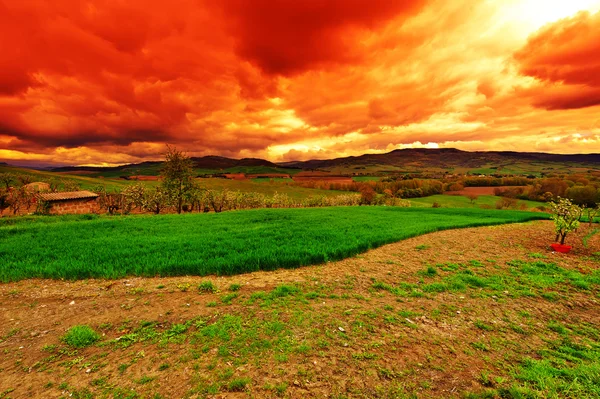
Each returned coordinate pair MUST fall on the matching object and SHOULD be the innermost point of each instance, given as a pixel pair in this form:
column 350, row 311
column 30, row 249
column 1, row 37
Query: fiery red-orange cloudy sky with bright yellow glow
column 107, row 82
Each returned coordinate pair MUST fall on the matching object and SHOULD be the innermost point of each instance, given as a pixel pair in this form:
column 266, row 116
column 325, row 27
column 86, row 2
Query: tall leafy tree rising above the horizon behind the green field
column 178, row 176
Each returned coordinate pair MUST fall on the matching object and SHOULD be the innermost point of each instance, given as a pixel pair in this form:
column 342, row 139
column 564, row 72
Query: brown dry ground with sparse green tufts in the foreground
column 370, row 326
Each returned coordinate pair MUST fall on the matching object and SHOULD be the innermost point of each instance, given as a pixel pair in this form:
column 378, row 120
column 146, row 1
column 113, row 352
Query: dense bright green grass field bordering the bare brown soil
column 222, row 244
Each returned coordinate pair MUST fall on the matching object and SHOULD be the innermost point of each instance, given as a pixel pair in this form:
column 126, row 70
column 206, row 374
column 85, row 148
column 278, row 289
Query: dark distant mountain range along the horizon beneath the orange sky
column 446, row 158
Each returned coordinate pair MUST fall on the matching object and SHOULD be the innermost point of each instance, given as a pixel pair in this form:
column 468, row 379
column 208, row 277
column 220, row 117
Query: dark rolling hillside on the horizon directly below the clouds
column 398, row 161
